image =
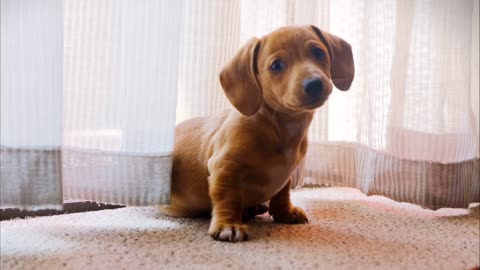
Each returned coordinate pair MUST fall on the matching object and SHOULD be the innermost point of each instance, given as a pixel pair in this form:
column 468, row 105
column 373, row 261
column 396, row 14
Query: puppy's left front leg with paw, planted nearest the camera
column 227, row 202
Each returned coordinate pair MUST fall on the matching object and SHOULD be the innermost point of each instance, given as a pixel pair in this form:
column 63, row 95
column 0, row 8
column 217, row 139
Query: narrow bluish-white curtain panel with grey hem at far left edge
column 31, row 103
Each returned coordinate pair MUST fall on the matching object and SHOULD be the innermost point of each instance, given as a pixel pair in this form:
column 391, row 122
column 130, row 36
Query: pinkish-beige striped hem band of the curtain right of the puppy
column 429, row 184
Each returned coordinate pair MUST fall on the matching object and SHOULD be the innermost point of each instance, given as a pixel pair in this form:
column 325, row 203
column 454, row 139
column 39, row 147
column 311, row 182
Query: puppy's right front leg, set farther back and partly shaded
column 283, row 211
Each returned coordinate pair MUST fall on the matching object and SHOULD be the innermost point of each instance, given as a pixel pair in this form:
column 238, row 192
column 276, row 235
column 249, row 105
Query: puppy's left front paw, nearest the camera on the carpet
column 228, row 232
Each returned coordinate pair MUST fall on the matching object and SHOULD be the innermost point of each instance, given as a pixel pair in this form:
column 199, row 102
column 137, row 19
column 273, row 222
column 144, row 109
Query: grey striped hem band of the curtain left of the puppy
column 43, row 179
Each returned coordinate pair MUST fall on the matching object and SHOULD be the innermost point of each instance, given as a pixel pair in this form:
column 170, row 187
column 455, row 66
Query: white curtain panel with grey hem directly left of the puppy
column 121, row 62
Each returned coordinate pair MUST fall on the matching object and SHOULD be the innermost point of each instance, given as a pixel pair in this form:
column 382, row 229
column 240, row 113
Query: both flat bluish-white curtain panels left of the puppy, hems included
column 88, row 101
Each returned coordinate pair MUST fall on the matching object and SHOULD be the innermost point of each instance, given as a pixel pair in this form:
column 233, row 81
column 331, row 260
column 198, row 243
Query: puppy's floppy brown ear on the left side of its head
column 239, row 79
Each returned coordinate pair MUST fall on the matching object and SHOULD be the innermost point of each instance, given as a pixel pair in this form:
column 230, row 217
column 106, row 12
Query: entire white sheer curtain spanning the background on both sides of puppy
column 89, row 90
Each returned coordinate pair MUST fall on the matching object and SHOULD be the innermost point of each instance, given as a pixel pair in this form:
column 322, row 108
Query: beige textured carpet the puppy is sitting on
column 347, row 230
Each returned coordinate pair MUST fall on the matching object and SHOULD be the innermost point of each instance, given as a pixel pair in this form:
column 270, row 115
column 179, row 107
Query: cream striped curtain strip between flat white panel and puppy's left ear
column 210, row 34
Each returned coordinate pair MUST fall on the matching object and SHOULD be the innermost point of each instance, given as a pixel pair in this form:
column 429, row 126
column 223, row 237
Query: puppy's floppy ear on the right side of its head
column 341, row 59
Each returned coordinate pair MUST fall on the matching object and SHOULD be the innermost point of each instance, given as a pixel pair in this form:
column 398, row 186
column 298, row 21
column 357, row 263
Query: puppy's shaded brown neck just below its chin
column 290, row 126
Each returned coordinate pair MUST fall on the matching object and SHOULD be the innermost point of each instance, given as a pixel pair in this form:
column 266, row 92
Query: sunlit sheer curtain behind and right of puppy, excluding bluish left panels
column 407, row 129
